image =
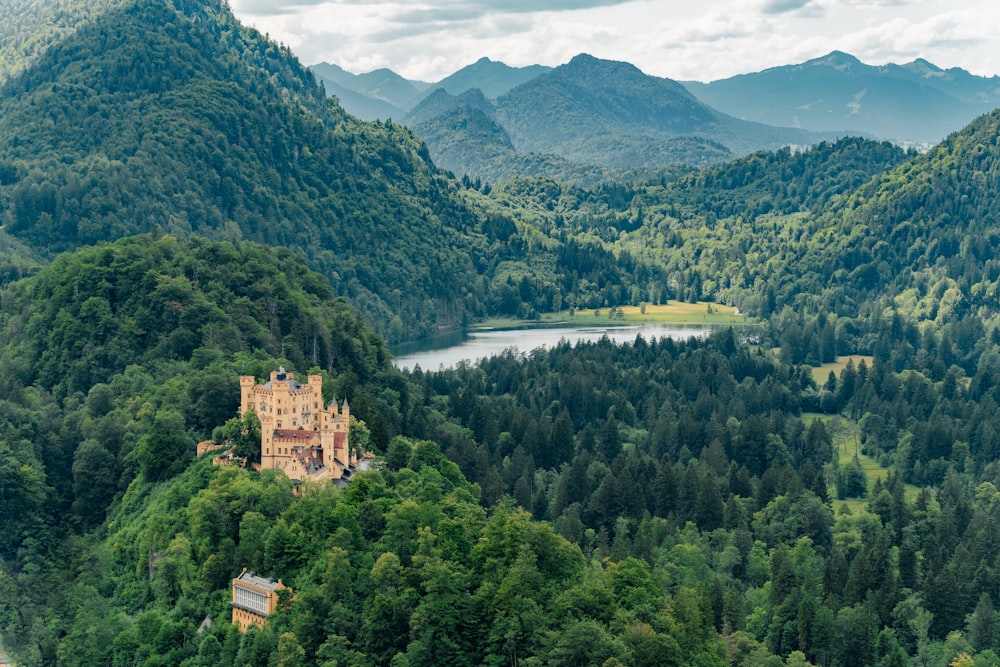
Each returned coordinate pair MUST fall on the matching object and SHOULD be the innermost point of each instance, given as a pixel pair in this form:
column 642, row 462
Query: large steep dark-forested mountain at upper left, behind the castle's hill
column 186, row 122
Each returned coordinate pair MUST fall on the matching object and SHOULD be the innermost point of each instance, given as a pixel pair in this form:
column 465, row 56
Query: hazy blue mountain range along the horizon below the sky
column 593, row 117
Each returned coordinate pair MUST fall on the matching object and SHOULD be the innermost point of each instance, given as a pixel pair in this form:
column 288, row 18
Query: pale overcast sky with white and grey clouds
column 688, row 39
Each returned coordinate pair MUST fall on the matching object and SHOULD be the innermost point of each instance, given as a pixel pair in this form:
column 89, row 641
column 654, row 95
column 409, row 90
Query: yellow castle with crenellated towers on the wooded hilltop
column 299, row 435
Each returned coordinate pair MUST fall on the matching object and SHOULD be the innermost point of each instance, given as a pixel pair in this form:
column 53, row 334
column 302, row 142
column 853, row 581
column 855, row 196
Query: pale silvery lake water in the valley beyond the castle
column 447, row 350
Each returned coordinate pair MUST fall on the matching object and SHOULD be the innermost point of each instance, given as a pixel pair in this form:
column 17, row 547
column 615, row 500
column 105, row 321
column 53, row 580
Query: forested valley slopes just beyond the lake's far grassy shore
column 738, row 233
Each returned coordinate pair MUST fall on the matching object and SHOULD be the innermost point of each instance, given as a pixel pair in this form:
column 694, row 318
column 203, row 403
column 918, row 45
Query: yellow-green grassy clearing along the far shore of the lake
column 676, row 312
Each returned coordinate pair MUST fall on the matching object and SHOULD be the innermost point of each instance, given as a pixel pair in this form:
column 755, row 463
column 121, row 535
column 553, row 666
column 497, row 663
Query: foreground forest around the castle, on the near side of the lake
column 664, row 502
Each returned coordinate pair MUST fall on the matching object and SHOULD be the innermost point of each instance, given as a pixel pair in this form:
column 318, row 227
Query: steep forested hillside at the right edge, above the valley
column 929, row 230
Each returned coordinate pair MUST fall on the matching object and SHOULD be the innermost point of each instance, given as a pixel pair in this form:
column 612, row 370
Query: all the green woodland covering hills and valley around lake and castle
column 667, row 502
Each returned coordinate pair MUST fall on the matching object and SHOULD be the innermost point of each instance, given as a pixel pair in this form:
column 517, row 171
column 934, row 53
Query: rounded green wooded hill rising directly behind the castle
column 120, row 357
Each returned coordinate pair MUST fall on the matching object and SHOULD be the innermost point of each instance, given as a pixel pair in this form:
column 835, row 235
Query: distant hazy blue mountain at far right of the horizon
column 917, row 102
